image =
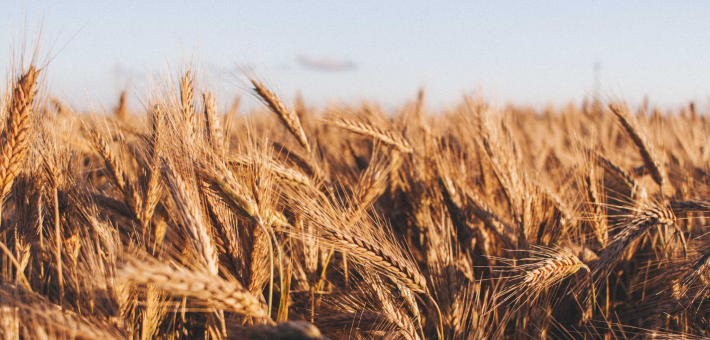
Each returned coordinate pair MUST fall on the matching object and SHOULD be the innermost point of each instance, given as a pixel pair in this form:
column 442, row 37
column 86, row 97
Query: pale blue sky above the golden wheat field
column 525, row 52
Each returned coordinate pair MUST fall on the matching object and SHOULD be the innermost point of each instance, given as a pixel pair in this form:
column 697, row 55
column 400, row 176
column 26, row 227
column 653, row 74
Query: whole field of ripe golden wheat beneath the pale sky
column 182, row 220
